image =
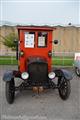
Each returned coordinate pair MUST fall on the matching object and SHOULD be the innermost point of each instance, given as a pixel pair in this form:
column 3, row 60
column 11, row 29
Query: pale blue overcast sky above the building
column 40, row 12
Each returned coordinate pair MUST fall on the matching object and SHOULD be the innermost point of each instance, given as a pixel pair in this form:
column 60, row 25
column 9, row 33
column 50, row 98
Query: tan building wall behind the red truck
column 68, row 36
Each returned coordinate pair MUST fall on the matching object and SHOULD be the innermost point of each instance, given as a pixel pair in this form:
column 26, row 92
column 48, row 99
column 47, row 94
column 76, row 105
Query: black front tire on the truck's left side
column 10, row 91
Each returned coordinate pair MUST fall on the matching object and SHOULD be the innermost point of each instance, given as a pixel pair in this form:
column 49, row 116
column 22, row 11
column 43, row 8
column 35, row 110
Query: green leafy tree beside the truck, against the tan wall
column 9, row 41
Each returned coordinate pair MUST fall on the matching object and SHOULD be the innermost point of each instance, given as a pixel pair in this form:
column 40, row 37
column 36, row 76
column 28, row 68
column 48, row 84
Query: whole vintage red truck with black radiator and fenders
column 34, row 54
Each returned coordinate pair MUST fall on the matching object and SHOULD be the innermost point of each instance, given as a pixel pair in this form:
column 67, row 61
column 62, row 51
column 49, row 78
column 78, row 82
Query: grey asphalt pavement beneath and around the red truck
column 44, row 106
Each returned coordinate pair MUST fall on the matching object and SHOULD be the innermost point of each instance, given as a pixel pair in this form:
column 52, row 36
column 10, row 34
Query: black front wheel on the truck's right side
column 64, row 88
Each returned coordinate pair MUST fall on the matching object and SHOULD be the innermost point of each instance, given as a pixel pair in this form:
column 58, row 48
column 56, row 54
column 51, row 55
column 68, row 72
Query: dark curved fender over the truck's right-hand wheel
column 63, row 73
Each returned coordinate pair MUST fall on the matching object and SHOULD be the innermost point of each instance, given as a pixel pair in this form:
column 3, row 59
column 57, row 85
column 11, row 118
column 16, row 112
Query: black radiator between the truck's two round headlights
column 38, row 73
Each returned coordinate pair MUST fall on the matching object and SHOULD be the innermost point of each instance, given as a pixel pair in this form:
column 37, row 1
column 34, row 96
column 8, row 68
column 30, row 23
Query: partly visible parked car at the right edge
column 77, row 63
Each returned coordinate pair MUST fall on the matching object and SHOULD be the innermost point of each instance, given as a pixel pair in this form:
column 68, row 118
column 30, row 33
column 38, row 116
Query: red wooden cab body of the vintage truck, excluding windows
column 36, row 51
